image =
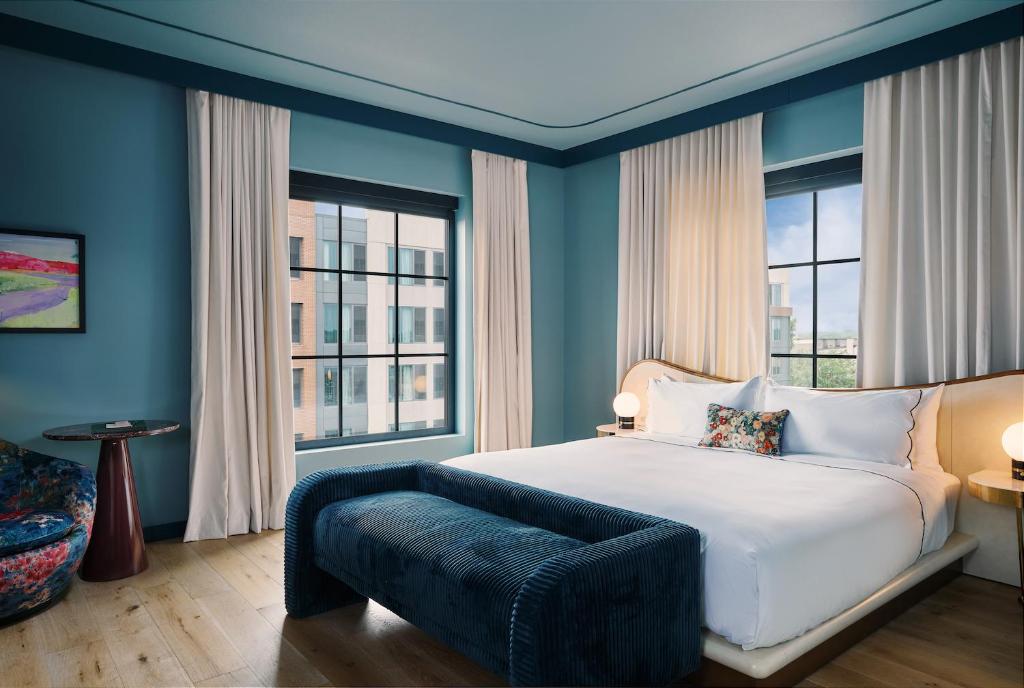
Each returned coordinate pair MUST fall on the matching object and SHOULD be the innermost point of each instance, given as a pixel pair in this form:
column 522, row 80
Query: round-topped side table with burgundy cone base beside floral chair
column 116, row 549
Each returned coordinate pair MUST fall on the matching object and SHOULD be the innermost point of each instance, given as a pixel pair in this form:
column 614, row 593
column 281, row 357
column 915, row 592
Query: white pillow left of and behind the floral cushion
column 681, row 408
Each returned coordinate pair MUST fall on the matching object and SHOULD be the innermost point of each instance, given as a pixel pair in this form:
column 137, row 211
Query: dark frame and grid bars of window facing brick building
column 344, row 192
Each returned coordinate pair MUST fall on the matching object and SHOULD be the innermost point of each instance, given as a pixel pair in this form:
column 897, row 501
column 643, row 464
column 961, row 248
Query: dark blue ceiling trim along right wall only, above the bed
column 972, row 35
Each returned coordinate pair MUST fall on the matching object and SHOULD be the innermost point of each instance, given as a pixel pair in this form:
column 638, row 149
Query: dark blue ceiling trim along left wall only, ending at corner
column 42, row 38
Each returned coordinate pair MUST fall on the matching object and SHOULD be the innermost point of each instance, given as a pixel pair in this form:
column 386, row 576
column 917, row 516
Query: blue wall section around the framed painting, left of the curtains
column 104, row 155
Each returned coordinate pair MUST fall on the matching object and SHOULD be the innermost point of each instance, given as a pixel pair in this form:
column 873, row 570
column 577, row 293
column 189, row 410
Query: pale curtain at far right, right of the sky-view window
column 943, row 275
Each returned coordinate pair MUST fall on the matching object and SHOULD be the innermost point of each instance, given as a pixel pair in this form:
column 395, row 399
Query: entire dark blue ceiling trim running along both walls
column 45, row 39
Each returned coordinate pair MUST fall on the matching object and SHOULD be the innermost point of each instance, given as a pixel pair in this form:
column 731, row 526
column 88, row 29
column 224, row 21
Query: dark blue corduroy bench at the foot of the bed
column 540, row 588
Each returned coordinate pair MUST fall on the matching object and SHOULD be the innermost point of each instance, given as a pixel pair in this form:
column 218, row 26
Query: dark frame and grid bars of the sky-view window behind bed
column 813, row 179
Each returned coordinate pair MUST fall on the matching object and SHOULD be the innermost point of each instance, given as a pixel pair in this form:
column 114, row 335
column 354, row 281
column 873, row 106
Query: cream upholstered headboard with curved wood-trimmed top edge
column 972, row 418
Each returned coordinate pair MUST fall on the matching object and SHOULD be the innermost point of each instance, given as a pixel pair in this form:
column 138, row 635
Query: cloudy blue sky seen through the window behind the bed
column 790, row 241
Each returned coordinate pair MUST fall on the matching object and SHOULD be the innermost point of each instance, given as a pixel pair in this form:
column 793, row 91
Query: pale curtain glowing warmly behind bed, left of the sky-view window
column 693, row 271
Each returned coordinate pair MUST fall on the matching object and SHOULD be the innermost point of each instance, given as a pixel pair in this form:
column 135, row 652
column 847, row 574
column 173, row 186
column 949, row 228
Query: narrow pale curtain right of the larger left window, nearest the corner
column 501, row 305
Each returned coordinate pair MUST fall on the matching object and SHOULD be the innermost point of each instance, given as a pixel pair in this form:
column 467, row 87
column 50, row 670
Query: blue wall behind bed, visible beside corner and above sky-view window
column 817, row 126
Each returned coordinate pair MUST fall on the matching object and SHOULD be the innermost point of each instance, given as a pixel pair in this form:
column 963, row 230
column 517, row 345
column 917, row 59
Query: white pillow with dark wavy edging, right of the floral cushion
column 870, row 426
